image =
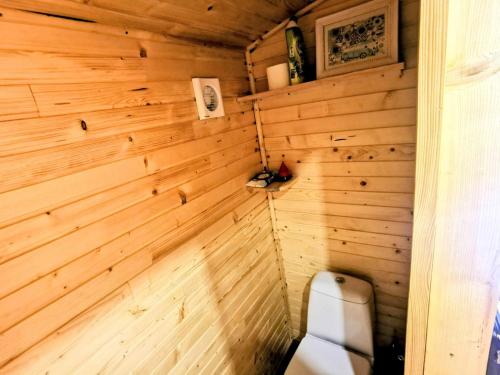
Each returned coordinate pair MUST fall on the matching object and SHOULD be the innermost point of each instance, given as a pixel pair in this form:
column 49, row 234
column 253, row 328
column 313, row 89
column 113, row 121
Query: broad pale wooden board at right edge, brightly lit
column 465, row 274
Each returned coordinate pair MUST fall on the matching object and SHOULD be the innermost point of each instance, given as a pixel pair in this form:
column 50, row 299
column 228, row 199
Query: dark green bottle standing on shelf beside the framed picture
column 296, row 52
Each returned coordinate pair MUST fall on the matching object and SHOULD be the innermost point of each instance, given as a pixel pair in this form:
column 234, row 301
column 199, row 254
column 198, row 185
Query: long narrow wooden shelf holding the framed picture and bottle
column 324, row 81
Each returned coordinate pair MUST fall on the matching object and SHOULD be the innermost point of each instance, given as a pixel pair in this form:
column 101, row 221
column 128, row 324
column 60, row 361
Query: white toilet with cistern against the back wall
column 340, row 321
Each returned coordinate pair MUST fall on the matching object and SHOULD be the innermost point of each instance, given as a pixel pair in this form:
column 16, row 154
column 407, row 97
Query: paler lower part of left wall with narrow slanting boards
column 203, row 294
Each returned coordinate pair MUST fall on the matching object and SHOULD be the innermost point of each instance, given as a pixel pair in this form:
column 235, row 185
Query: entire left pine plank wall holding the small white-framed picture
column 105, row 173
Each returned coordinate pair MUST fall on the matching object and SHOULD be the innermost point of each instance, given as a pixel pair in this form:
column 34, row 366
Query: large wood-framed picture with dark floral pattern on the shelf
column 358, row 38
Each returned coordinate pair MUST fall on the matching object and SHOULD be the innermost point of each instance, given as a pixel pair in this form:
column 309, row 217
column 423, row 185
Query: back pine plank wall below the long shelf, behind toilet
column 350, row 141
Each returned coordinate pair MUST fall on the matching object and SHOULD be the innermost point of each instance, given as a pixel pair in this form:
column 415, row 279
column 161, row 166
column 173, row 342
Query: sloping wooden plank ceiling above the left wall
column 229, row 22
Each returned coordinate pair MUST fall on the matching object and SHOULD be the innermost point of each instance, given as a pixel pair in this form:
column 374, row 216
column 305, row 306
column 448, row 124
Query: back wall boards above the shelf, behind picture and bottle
column 273, row 50
